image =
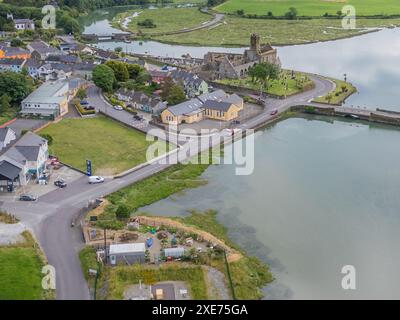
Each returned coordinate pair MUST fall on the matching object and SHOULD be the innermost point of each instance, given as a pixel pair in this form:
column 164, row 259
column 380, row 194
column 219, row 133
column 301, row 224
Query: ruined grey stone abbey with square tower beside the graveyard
column 220, row 65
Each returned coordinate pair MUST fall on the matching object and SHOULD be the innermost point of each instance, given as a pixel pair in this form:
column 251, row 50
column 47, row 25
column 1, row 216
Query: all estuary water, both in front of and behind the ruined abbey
column 325, row 191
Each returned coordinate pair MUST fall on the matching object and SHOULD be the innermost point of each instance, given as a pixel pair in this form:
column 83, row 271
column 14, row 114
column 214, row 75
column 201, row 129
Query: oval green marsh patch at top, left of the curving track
column 166, row 19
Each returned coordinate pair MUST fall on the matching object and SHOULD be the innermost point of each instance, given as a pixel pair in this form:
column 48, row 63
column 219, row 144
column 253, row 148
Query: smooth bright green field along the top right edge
column 311, row 7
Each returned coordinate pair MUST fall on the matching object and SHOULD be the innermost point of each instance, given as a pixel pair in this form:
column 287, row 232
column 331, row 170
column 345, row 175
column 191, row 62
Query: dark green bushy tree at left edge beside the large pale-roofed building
column 15, row 85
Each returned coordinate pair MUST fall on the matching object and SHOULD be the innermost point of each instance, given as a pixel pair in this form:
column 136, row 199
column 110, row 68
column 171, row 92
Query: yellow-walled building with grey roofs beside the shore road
column 217, row 105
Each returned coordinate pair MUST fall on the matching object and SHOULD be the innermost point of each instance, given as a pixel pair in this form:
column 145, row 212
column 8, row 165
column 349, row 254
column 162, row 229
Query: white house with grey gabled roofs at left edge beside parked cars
column 24, row 160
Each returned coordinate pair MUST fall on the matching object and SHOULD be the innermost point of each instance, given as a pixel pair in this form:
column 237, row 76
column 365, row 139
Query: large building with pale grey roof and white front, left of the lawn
column 51, row 98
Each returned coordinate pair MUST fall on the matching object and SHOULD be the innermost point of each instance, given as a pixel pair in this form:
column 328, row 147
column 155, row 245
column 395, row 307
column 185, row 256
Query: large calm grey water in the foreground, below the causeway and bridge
column 323, row 195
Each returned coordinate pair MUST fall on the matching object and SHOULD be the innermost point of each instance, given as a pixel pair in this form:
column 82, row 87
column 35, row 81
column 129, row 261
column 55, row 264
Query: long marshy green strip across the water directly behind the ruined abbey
column 236, row 31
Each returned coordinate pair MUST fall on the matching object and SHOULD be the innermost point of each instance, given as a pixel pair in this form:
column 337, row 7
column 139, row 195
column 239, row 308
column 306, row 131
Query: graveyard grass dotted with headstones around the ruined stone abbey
column 298, row 83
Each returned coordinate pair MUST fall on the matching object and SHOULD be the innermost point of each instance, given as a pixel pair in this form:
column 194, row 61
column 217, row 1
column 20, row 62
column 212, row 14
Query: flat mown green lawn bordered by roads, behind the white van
column 111, row 146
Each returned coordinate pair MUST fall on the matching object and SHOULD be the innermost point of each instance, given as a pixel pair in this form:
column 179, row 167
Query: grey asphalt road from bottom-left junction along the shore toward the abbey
column 50, row 217
